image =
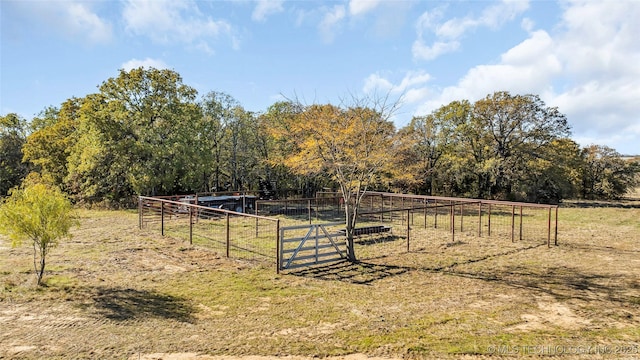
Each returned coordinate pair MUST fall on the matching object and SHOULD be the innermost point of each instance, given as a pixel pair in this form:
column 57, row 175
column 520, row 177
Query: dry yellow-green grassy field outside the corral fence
column 116, row 292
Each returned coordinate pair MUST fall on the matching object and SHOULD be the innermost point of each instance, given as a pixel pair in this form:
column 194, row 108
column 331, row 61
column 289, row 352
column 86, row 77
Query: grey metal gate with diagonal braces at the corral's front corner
column 311, row 244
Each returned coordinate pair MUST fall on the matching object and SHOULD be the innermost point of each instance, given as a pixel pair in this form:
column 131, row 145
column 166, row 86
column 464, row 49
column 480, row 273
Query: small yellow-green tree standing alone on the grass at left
column 39, row 213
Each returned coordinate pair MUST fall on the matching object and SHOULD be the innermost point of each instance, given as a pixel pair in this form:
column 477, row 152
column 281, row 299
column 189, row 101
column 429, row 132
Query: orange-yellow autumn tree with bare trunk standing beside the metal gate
column 352, row 144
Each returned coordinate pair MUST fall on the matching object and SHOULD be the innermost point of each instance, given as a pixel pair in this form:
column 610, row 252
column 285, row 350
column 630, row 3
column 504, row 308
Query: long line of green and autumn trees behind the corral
column 145, row 132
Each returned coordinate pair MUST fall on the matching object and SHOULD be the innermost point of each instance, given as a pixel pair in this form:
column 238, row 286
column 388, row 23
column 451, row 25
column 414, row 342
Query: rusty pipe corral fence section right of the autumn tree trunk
column 422, row 223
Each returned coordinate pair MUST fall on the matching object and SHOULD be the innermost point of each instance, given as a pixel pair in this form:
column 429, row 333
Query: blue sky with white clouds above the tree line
column 582, row 57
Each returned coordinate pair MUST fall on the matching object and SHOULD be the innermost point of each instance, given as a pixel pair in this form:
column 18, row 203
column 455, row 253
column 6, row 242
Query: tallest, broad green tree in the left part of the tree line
column 135, row 137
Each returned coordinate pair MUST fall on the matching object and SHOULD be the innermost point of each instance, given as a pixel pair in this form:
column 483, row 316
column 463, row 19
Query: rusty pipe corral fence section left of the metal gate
column 229, row 233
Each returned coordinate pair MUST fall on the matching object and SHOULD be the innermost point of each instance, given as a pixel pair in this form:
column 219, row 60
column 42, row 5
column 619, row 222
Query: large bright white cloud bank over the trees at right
column 588, row 68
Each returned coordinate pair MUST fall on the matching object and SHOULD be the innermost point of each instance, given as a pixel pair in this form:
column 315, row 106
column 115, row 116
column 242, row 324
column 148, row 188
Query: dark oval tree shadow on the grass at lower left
column 123, row 304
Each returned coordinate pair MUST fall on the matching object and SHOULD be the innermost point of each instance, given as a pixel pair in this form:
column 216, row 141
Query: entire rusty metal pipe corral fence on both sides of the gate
column 413, row 224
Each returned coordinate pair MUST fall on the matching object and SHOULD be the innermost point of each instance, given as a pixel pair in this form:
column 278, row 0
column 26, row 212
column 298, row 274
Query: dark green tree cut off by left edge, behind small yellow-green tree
column 12, row 138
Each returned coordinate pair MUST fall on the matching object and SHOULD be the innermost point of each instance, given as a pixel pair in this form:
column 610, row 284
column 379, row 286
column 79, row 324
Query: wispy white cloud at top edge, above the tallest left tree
column 177, row 21
